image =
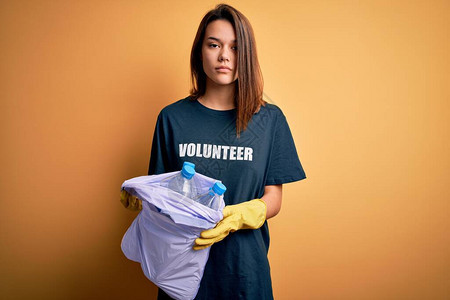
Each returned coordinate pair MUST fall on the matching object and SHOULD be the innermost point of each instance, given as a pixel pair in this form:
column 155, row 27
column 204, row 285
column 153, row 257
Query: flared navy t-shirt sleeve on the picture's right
column 284, row 165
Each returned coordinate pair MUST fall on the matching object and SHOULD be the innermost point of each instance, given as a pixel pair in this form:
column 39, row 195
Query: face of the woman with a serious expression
column 219, row 52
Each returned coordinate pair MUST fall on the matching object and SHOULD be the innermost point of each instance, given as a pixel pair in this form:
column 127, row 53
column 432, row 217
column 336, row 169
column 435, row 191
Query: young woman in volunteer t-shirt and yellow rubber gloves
column 231, row 134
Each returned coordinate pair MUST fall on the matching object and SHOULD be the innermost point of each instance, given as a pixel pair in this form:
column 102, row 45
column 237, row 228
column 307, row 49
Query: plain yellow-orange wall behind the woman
column 365, row 88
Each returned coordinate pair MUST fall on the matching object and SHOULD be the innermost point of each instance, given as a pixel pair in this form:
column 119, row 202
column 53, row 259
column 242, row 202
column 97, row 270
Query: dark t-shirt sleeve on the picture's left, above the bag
column 158, row 156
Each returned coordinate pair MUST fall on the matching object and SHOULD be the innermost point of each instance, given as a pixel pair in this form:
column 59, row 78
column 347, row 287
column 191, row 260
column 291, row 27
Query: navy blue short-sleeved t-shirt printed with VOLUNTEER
column 264, row 154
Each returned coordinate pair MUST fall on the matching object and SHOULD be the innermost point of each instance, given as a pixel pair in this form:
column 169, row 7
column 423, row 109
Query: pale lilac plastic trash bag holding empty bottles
column 163, row 234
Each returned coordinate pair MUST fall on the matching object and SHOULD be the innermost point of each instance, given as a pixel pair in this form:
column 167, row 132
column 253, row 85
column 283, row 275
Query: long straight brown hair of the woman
column 249, row 84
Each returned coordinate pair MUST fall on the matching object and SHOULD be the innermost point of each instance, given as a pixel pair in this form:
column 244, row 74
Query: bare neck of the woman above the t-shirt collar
column 218, row 97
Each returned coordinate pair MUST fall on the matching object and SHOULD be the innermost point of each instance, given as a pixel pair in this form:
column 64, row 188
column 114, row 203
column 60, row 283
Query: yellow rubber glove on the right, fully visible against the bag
column 245, row 215
